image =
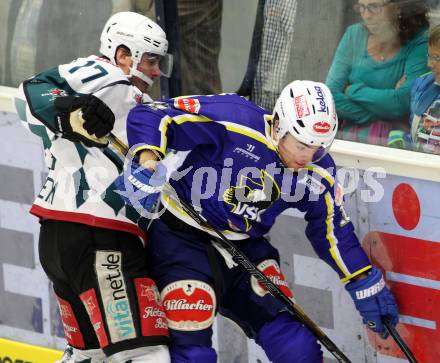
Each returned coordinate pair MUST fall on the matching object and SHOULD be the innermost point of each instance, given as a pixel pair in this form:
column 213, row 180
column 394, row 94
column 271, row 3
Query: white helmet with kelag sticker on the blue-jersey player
column 306, row 110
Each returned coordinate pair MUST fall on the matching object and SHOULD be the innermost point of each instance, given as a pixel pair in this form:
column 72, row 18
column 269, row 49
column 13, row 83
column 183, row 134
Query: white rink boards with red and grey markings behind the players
column 400, row 232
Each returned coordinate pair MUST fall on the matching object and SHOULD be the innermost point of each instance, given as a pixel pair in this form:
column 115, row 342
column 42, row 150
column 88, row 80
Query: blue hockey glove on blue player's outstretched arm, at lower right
column 374, row 301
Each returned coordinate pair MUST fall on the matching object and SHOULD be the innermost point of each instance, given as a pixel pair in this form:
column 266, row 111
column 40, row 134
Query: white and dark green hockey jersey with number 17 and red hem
column 79, row 186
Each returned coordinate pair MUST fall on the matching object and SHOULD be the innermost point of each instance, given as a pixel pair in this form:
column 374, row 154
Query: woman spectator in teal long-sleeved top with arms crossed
column 374, row 67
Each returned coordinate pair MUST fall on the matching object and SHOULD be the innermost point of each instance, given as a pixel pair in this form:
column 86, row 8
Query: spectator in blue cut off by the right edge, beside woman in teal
column 425, row 101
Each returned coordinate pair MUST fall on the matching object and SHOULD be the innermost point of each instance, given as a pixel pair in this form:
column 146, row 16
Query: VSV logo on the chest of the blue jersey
column 252, row 197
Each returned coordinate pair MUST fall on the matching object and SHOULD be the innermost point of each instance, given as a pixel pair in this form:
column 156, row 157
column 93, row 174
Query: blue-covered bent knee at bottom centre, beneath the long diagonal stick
column 286, row 340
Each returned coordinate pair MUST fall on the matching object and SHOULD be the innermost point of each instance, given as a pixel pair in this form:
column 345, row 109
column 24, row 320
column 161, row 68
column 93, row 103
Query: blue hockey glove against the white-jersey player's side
column 140, row 187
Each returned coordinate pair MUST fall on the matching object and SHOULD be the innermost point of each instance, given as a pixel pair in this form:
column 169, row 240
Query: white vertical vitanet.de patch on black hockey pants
column 114, row 295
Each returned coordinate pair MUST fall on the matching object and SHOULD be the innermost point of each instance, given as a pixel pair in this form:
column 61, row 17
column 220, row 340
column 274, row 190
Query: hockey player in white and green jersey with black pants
column 91, row 245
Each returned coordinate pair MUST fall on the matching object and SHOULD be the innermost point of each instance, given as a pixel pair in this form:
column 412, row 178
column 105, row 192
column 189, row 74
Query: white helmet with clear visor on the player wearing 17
column 140, row 35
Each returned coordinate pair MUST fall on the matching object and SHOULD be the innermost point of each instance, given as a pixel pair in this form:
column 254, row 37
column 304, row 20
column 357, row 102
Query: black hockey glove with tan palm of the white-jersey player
column 84, row 118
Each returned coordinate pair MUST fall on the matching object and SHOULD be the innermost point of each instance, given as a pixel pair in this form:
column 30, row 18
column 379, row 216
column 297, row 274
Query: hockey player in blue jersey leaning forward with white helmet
column 243, row 168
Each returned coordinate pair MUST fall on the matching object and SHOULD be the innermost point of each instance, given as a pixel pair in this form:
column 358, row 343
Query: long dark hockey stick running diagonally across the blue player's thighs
column 242, row 260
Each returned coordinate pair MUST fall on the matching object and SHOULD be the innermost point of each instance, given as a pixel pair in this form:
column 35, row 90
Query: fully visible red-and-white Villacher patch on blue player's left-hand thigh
column 189, row 304
